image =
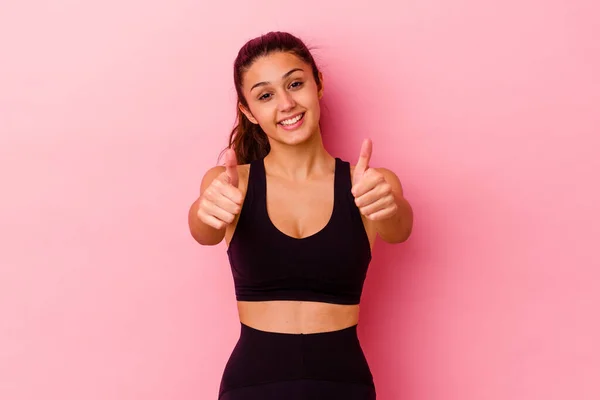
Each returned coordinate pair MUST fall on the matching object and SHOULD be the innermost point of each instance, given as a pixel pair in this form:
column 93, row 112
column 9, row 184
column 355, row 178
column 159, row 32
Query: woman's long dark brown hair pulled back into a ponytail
column 248, row 140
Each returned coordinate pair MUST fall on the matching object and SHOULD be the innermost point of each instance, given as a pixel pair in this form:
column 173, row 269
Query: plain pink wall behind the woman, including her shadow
column 111, row 111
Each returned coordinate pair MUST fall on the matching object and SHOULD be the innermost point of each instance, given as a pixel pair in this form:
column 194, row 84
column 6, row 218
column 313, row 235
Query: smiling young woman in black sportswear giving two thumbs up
column 300, row 225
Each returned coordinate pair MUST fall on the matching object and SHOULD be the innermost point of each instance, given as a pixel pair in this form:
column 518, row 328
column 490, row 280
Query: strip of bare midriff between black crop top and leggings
column 285, row 316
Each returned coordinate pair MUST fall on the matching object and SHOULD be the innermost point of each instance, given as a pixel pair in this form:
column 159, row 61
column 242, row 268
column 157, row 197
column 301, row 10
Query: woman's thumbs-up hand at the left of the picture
column 221, row 201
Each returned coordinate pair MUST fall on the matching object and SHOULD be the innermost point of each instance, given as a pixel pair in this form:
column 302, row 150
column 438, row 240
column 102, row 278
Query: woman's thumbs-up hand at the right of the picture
column 372, row 193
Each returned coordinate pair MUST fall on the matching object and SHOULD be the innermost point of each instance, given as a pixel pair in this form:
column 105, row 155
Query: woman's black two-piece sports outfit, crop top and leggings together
column 329, row 266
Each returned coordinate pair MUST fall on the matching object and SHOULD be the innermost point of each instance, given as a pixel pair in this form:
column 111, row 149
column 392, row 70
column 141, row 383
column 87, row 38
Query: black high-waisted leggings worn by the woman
column 315, row 366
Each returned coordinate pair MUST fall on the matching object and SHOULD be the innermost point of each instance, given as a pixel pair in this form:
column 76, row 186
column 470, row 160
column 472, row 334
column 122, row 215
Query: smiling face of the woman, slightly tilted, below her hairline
column 283, row 97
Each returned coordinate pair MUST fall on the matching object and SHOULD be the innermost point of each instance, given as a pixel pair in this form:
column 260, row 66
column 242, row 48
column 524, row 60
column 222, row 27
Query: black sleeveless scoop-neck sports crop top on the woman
column 329, row 266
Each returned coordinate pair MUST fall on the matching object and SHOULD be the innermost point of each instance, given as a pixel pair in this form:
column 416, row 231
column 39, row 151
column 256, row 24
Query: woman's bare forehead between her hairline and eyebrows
column 272, row 67
